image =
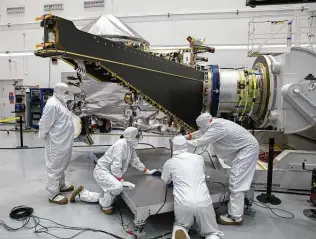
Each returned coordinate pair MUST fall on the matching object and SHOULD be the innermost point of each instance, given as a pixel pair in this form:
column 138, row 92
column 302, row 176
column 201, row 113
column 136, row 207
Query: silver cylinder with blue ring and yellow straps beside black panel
column 240, row 93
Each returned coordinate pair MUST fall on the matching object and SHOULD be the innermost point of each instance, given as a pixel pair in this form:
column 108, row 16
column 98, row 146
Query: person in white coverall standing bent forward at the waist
column 239, row 149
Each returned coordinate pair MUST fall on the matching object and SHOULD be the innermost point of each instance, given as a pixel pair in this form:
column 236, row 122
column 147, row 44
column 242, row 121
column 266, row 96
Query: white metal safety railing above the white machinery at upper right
column 278, row 35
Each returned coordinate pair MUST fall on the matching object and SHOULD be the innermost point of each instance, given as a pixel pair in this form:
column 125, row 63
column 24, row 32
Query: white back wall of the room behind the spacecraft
column 215, row 20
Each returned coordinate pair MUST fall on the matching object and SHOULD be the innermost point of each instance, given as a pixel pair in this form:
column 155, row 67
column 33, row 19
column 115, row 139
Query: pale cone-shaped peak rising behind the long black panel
column 111, row 27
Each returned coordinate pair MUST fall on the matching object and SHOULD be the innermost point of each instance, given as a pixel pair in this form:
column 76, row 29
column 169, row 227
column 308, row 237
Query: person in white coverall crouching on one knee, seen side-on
column 110, row 169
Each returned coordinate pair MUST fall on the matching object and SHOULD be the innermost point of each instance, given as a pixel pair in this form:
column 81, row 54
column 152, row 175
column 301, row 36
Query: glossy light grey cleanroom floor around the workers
column 22, row 182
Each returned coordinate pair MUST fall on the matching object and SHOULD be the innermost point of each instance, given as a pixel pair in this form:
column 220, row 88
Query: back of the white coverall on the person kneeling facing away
column 187, row 173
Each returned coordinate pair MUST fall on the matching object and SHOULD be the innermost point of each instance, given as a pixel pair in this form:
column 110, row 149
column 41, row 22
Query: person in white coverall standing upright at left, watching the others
column 56, row 127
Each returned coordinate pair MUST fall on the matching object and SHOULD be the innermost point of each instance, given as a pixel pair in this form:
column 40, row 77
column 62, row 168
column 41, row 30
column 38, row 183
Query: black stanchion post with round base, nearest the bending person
column 268, row 197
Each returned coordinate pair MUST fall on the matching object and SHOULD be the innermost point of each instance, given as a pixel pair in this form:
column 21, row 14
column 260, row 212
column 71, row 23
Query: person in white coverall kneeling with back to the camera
column 192, row 200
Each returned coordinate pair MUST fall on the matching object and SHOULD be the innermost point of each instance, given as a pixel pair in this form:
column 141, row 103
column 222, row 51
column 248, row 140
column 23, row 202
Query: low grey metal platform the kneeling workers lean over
column 150, row 196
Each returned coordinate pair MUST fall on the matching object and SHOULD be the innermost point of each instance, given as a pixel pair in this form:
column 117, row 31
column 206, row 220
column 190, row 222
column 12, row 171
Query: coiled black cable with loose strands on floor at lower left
column 25, row 215
